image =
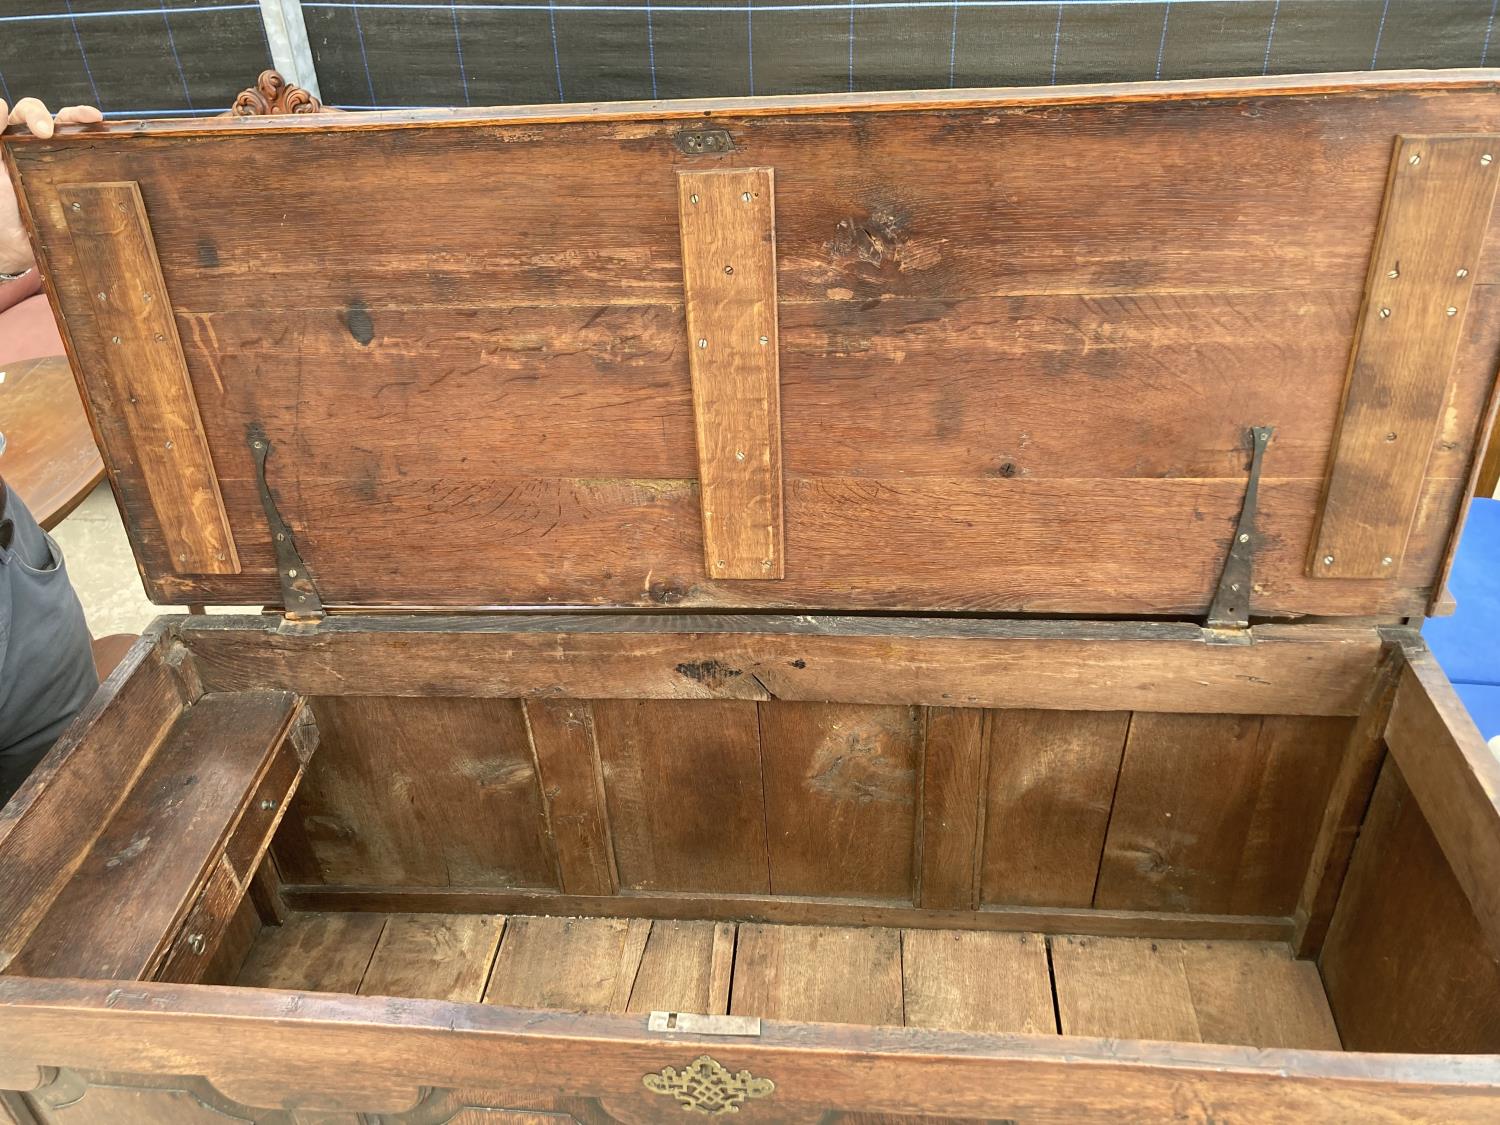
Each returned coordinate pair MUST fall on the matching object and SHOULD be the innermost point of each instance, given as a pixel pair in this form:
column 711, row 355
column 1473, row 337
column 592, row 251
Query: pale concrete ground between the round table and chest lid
column 103, row 568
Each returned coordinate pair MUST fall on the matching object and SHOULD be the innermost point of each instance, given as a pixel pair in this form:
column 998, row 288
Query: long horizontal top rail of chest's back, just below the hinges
column 1163, row 667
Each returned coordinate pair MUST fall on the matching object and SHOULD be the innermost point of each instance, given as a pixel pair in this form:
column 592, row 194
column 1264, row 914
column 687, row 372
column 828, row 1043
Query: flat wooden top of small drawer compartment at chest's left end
column 122, row 907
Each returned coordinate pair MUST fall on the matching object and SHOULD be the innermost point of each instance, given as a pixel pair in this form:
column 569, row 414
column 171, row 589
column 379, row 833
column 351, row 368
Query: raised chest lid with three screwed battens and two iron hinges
column 989, row 352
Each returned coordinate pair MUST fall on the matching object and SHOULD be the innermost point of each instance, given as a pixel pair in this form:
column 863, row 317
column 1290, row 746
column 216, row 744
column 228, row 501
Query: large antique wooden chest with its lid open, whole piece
column 853, row 610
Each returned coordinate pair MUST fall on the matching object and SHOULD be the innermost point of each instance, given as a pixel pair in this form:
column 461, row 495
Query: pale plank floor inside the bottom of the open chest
column 1249, row 994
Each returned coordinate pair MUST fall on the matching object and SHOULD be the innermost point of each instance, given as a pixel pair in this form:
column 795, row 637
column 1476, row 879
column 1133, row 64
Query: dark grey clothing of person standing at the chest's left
column 47, row 671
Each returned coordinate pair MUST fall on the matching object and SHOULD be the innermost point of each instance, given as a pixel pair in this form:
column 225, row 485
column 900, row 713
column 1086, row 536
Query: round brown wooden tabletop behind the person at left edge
column 50, row 455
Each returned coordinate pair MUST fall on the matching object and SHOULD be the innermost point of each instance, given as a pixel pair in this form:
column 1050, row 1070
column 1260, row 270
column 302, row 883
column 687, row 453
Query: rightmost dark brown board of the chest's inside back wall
column 1217, row 814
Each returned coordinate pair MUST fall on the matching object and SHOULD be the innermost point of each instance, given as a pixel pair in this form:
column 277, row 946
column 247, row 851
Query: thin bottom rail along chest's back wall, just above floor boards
column 800, row 911
